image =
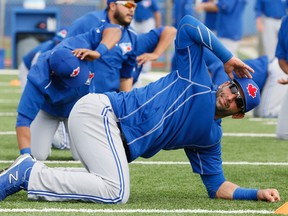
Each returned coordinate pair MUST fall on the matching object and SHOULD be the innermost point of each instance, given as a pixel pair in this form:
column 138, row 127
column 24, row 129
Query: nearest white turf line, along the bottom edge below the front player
column 163, row 211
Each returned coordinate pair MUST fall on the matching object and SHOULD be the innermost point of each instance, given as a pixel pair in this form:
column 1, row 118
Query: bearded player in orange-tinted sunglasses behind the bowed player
column 114, row 70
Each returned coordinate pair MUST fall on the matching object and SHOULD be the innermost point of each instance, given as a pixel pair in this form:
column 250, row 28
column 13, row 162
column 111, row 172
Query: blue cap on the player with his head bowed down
column 72, row 71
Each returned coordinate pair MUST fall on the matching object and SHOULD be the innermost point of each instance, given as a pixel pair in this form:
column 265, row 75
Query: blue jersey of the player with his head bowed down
column 47, row 92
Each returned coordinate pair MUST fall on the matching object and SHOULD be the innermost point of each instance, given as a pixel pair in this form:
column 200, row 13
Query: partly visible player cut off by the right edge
column 282, row 55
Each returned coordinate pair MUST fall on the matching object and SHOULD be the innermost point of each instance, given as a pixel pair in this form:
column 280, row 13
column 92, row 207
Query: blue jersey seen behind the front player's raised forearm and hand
column 216, row 68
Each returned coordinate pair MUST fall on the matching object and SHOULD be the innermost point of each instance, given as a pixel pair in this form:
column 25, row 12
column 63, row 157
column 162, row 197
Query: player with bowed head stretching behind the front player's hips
column 46, row 100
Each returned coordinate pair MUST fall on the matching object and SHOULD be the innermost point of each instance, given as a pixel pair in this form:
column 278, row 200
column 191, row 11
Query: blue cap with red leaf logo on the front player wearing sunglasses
column 251, row 92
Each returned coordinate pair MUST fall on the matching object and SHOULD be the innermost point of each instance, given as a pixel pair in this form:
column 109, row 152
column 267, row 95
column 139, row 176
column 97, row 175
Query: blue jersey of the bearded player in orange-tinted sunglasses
column 119, row 62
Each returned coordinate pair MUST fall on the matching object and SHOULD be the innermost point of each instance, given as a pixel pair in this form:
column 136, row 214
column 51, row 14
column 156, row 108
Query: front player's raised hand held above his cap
column 240, row 68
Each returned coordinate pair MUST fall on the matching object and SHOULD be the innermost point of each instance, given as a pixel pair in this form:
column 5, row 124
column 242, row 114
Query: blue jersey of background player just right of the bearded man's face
column 145, row 10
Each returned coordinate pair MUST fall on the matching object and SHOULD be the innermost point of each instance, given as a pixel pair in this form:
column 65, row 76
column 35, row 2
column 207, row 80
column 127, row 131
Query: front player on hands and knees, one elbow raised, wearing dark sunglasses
column 183, row 110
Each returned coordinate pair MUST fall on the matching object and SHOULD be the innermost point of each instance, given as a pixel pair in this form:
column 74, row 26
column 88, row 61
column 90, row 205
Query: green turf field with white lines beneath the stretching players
column 164, row 184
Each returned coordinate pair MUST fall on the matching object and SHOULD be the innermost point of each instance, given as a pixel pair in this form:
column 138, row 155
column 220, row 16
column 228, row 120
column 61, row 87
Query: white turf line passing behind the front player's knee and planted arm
column 167, row 163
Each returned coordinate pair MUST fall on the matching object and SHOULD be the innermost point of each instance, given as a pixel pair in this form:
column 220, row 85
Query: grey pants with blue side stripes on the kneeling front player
column 94, row 132
